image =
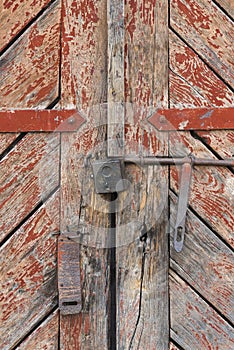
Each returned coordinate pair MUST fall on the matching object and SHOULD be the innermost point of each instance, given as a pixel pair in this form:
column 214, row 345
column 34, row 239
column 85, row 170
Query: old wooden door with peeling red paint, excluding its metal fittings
column 110, row 61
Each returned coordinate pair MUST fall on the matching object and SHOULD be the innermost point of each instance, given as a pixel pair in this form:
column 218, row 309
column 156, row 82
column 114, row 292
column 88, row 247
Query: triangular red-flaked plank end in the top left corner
column 15, row 15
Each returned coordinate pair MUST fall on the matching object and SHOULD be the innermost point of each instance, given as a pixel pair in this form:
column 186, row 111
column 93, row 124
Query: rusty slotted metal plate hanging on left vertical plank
column 69, row 276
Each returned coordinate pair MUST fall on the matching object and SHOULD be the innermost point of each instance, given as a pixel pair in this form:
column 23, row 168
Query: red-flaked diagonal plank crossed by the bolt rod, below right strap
column 211, row 195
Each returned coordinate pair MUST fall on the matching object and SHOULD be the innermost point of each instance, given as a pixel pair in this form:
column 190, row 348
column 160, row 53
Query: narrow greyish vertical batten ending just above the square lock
column 116, row 105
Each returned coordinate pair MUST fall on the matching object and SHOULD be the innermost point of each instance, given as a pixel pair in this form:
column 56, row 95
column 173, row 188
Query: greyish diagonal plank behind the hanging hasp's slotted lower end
column 205, row 262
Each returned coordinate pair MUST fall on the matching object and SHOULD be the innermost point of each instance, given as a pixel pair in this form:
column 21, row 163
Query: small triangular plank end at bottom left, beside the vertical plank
column 44, row 337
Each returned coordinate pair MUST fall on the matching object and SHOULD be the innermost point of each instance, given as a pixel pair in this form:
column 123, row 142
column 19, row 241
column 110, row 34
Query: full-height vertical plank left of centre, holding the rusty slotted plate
column 84, row 86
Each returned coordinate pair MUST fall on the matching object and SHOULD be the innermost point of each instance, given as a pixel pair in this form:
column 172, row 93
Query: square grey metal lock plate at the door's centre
column 108, row 176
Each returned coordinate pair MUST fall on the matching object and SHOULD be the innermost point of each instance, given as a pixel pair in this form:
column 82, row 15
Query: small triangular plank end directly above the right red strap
column 183, row 95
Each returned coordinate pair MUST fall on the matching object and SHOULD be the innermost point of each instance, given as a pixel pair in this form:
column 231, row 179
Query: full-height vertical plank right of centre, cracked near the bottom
column 142, row 266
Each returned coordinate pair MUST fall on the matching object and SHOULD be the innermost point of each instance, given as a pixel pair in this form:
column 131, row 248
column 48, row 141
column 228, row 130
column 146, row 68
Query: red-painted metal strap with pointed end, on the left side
column 40, row 120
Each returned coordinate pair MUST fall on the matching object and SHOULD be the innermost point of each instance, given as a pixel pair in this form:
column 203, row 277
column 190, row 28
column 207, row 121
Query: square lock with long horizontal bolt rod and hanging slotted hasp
column 108, row 179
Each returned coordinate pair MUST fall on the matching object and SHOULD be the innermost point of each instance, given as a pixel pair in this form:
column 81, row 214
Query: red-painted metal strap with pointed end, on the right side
column 193, row 119
